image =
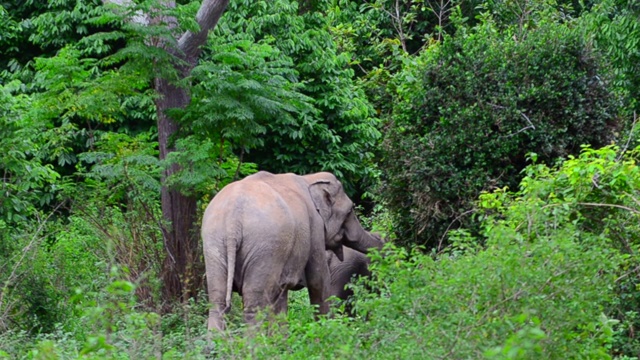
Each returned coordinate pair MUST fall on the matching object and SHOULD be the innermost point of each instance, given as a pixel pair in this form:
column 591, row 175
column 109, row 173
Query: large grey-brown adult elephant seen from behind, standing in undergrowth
column 268, row 233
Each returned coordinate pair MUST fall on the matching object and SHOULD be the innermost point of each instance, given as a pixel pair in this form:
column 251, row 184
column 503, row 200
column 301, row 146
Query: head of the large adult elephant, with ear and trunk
column 337, row 211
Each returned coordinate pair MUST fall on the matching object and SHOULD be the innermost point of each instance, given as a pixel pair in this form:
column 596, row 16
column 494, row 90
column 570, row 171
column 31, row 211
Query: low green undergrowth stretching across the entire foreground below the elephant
column 547, row 284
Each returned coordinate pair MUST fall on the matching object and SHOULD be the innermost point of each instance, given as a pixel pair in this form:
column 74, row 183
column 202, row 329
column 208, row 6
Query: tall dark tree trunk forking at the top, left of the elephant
column 180, row 239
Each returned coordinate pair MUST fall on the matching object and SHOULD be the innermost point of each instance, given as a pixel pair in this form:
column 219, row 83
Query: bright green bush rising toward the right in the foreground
column 543, row 286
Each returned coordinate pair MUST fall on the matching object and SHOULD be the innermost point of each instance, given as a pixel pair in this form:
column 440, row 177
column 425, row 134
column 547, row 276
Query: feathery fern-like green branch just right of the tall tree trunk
column 243, row 88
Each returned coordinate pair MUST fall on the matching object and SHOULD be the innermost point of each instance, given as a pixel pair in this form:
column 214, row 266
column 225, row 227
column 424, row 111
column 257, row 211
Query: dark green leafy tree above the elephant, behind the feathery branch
column 340, row 132
